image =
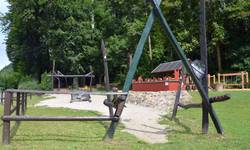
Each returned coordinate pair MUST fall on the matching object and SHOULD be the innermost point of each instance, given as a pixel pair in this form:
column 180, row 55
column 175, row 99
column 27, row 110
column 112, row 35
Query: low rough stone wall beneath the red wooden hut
column 163, row 101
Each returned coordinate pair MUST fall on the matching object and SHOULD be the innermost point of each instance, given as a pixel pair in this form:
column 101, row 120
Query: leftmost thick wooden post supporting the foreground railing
column 6, row 124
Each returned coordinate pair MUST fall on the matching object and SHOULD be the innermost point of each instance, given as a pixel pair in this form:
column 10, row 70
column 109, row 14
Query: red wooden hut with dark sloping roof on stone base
column 169, row 82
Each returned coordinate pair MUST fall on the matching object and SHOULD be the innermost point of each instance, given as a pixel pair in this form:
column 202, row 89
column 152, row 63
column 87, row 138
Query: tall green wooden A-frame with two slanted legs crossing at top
column 157, row 13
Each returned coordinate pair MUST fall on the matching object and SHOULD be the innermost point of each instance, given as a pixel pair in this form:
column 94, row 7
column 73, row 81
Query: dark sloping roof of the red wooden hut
column 169, row 66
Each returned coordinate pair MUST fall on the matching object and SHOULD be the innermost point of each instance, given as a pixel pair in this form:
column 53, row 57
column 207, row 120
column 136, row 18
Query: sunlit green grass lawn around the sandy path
column 184, row 133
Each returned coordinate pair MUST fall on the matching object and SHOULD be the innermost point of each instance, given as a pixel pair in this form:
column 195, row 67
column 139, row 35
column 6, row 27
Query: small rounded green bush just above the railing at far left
column 28, row 83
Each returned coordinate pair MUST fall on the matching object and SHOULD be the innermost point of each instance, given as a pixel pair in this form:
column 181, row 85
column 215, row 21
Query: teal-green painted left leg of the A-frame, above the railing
column 139, row 50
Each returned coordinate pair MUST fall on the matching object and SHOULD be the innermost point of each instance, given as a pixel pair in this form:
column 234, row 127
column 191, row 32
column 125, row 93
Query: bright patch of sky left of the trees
column 3, row 56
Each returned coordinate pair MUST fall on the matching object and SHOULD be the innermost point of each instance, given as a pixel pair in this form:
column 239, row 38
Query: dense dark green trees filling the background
column 69, row 32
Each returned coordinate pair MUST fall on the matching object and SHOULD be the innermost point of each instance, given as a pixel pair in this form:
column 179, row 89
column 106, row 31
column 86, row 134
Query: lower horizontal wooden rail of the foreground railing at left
column 57, row 118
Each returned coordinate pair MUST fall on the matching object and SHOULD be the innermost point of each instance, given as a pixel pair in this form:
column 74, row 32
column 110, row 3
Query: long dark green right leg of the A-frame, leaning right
column 182, row 56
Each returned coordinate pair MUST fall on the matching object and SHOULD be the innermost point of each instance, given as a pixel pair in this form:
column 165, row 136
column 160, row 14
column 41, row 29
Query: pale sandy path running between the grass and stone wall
column 139, row 121
